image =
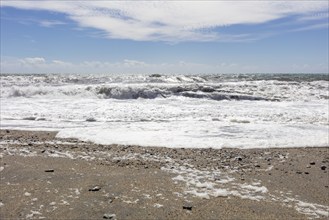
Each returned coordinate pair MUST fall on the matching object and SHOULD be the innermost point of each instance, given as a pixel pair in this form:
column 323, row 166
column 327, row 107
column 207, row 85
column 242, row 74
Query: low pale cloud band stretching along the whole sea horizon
column 41, row 65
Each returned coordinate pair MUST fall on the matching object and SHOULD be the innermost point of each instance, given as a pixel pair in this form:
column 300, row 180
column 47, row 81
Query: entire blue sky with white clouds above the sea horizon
column 172, row 37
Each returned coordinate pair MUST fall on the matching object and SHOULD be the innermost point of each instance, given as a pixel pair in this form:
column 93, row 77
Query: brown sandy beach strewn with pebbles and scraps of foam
column 46, row 177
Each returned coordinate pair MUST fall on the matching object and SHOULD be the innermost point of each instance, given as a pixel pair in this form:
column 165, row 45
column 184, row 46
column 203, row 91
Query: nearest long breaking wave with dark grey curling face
column 132, row 92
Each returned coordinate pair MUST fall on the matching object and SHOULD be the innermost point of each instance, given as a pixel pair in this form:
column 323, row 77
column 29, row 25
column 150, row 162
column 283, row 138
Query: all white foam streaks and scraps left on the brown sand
column 201, row 183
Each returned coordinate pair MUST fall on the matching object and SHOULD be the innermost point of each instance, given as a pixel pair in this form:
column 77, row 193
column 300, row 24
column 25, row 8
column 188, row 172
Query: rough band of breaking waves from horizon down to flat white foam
column 212, row 87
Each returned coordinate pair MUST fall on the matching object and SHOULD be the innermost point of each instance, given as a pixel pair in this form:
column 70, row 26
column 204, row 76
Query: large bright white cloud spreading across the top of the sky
column 172, row 21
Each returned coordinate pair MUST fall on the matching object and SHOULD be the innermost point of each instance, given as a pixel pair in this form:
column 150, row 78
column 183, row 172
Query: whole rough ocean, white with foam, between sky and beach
column 189, row 111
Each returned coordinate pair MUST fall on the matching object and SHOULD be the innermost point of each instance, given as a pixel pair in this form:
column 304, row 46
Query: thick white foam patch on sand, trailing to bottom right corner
column 193, row 178
